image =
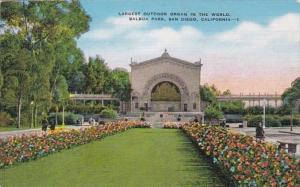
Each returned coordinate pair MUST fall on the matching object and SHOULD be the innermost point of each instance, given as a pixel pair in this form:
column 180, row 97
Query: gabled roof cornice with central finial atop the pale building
column 164, row 56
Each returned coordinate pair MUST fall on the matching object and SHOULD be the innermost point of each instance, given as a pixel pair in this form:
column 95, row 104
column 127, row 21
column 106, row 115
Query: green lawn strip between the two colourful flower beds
column 138, row 157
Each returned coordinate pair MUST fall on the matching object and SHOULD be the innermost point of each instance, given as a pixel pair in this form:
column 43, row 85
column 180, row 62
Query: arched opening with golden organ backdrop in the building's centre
column 165, row 96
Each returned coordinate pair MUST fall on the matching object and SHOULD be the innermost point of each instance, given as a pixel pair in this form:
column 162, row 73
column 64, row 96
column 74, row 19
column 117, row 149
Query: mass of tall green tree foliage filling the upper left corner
column 38, row 47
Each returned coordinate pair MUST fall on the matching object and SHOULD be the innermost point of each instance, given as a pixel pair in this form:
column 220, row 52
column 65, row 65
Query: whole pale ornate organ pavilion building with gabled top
column 184, row 76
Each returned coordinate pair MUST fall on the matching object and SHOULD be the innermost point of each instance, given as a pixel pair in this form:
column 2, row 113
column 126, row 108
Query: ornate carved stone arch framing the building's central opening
column 167, row 77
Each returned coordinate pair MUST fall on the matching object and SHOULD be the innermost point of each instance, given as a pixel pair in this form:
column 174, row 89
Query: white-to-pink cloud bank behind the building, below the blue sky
column 262, row 57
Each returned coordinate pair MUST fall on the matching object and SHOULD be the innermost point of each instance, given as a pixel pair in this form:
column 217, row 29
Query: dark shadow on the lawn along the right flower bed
column 209, row 174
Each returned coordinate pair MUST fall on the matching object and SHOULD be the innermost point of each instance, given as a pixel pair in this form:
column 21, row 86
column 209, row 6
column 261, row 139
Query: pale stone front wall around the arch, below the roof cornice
column 189, row 73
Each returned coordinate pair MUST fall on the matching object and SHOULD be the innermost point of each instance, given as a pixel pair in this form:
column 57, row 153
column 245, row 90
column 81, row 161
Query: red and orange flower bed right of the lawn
column 247, row 161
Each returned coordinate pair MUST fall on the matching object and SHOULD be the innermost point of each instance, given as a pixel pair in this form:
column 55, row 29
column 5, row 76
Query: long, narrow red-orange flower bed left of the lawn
column 29, row 147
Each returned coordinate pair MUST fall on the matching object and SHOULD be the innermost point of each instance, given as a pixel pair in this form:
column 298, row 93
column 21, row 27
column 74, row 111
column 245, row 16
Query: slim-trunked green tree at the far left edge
column 15, row 62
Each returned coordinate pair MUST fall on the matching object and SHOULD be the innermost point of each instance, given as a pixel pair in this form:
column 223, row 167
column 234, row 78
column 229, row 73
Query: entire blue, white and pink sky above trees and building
column 258, row 53
